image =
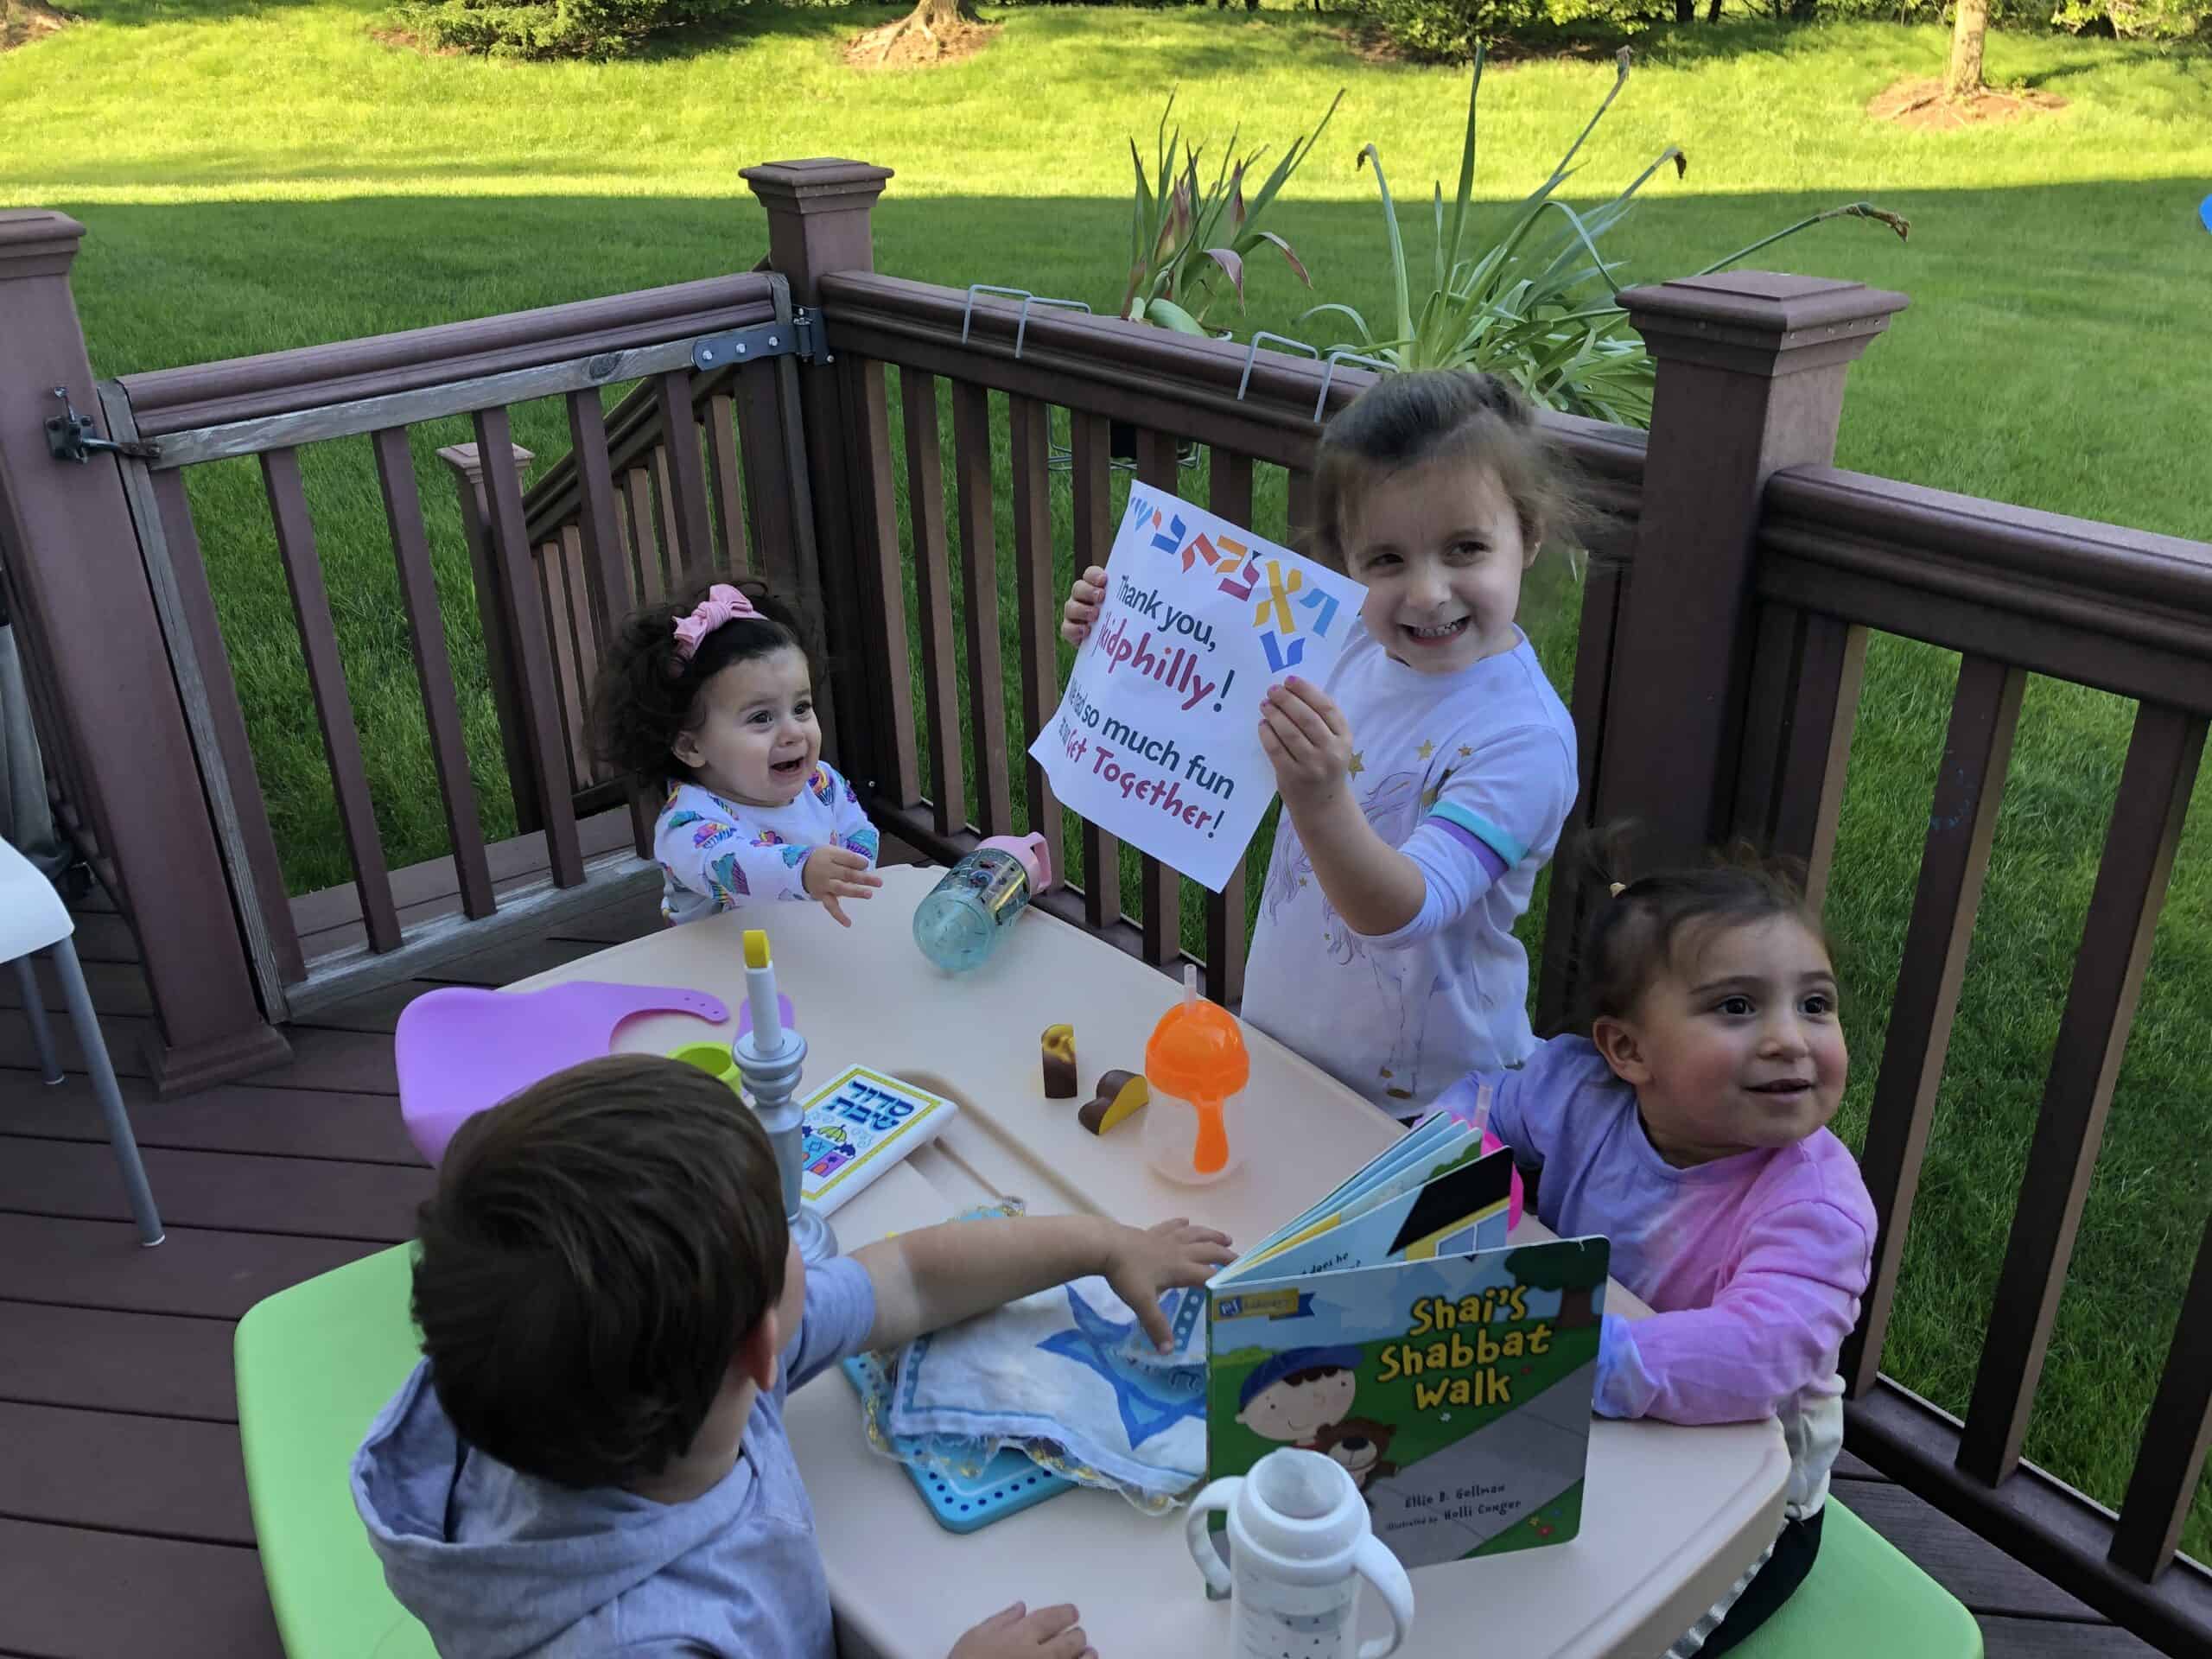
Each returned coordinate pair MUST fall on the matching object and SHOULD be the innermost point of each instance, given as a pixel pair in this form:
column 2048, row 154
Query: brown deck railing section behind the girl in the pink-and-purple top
column 2131, row 614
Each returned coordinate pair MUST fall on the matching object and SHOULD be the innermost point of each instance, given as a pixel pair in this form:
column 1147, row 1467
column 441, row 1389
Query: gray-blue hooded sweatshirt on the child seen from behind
column 503, row 1565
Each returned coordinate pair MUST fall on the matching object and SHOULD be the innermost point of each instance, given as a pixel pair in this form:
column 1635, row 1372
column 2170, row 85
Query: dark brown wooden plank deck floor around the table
column 123, row 1505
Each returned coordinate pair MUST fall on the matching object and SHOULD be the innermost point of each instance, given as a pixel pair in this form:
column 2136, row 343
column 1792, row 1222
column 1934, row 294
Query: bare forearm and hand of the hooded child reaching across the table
column 961, row 1269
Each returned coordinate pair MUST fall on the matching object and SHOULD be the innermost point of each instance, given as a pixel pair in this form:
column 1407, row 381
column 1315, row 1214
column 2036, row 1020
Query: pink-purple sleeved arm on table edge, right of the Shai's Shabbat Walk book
column 1773, row 1331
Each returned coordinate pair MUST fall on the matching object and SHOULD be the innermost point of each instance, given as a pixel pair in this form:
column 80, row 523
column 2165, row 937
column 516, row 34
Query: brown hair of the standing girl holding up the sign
column 1408, row 419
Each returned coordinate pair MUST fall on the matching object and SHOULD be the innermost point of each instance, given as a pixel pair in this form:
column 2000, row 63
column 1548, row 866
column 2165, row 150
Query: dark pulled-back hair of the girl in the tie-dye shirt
column 1638, row 932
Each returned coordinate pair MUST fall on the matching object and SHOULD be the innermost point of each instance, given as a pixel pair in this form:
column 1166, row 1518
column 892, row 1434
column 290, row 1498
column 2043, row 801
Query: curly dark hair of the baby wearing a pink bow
column 649, row 693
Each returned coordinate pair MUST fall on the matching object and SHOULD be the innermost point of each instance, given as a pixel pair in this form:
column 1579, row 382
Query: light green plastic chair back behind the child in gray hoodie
column 315, row 1366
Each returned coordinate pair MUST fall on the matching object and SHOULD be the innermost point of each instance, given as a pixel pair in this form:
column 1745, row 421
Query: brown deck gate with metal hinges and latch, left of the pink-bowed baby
column 547, row 587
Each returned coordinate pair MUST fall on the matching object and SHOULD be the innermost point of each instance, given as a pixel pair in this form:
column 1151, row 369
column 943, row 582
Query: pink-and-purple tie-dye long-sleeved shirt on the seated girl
column 1753, row 1264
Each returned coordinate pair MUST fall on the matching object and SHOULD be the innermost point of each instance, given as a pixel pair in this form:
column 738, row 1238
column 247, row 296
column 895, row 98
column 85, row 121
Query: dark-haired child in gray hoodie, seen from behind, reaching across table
column 592, row 1454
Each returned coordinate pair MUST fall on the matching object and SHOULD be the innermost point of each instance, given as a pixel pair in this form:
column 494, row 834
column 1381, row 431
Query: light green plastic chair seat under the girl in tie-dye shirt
column 1866, row 1598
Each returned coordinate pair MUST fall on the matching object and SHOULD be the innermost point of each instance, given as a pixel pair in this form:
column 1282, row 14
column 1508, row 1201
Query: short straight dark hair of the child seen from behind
column 592, row 1260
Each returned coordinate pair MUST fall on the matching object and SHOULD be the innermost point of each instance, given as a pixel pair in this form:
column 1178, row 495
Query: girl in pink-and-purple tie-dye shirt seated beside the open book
column 1691, row 1127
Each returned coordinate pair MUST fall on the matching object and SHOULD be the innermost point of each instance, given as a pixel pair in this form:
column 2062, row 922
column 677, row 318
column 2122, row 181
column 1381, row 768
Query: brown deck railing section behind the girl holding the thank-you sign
column 1242, row 410
